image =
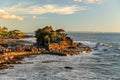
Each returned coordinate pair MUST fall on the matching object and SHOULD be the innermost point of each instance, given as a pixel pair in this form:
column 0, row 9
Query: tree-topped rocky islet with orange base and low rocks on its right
column 59, row 42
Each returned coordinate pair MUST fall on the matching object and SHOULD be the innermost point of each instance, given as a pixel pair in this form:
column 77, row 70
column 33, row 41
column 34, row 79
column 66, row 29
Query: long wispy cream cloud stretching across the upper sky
column 48, row 8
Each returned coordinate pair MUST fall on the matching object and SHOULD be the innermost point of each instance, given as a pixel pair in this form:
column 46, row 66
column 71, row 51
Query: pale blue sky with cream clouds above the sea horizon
column 71, row 15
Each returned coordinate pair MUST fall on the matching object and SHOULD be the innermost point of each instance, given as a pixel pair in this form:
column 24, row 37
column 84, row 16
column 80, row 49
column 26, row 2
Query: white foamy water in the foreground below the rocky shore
column 84, row 68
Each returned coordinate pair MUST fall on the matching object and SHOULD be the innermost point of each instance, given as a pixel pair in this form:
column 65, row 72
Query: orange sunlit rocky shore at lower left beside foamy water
column 13, row 58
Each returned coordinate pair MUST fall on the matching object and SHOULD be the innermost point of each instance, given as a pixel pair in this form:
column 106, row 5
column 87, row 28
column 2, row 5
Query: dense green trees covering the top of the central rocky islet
column 48, row 35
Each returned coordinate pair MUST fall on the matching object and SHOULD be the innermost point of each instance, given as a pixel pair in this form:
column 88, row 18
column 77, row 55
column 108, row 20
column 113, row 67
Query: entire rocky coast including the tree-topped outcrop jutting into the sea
column 48, row 41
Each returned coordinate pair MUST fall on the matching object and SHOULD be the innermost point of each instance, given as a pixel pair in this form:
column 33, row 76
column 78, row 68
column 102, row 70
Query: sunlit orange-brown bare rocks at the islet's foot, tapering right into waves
column 65, row 48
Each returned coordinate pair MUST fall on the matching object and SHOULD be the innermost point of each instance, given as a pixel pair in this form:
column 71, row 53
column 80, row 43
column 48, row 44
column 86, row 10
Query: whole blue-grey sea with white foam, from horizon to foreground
column 103, row 63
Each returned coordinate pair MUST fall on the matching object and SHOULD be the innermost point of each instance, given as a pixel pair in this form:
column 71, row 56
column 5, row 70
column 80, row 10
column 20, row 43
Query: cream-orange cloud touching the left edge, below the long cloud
column 8, row 16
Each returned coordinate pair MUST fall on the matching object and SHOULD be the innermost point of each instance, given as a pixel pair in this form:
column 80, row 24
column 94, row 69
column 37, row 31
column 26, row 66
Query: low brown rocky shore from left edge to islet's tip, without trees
column 18, row 54
